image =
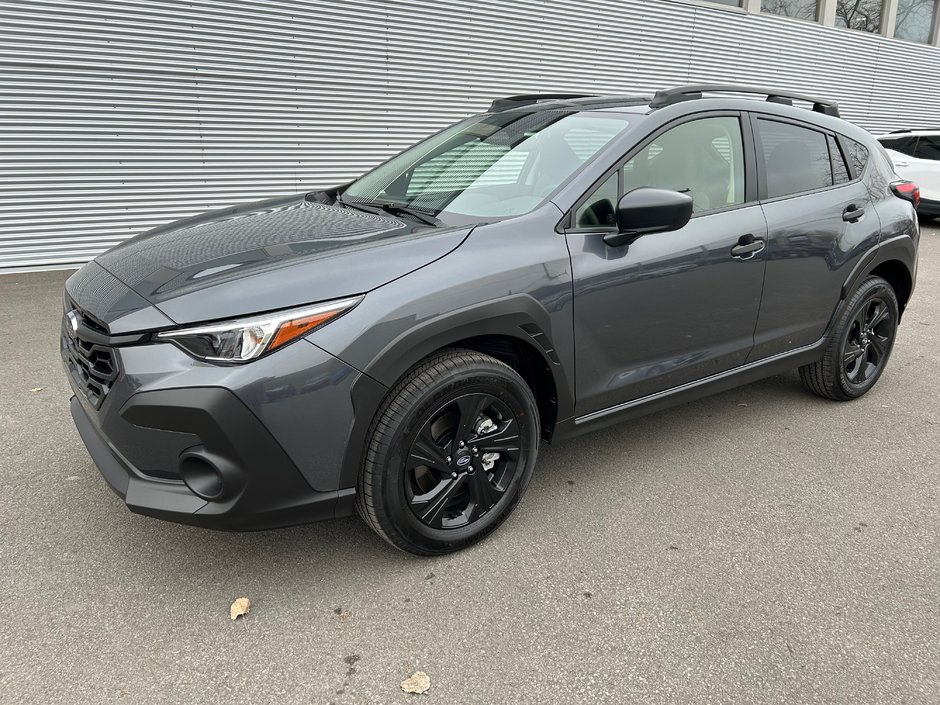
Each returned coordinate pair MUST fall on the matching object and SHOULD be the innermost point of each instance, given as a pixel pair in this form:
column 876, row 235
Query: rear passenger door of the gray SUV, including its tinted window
column 820, row 221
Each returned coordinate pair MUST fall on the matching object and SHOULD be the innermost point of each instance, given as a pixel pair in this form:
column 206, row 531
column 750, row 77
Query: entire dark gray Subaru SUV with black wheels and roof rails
column 402, row 344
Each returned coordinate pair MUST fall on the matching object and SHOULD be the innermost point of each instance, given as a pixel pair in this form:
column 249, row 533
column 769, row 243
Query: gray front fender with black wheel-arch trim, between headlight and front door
column 511, row 279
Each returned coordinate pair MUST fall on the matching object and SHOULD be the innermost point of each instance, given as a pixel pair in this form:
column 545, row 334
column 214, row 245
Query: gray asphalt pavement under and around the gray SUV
column 760, row 546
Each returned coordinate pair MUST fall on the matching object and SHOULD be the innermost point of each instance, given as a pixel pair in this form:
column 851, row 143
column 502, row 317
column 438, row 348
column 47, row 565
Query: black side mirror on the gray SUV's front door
column 643, row 211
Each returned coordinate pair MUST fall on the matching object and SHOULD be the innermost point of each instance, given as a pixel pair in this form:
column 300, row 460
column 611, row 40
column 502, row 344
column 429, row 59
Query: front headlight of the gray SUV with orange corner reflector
column 245, row 339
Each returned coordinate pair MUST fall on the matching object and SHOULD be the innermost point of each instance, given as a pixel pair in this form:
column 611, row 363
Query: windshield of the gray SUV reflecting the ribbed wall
column 494, row 165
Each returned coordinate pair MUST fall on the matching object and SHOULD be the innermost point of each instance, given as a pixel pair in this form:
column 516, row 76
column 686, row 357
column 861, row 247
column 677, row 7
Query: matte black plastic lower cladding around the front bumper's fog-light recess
column 236, row 478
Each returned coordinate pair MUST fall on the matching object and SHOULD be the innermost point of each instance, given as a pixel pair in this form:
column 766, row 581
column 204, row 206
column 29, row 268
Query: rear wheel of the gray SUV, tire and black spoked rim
column 859, row 345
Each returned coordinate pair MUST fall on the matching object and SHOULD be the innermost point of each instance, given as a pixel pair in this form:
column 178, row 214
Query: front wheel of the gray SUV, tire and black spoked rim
column 419, row 488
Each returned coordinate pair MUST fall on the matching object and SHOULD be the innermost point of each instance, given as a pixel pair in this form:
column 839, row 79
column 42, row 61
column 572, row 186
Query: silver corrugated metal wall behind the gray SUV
column 119, row 115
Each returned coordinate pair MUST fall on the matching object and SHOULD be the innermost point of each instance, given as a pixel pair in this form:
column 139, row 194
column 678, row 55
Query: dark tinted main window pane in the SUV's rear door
column 796, row 158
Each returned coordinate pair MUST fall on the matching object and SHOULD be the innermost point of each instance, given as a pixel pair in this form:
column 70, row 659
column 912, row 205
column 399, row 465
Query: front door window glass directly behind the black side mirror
column 704, row 158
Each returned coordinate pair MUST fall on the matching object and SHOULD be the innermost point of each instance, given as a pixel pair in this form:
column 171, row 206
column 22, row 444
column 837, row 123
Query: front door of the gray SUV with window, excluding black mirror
column 674, row 307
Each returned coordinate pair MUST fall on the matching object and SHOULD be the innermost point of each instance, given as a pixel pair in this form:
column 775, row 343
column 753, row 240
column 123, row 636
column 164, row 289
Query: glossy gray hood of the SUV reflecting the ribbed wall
column 264, row 256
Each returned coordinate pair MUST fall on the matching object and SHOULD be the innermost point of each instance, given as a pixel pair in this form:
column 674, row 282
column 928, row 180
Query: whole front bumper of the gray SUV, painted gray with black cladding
column 253, row 446
